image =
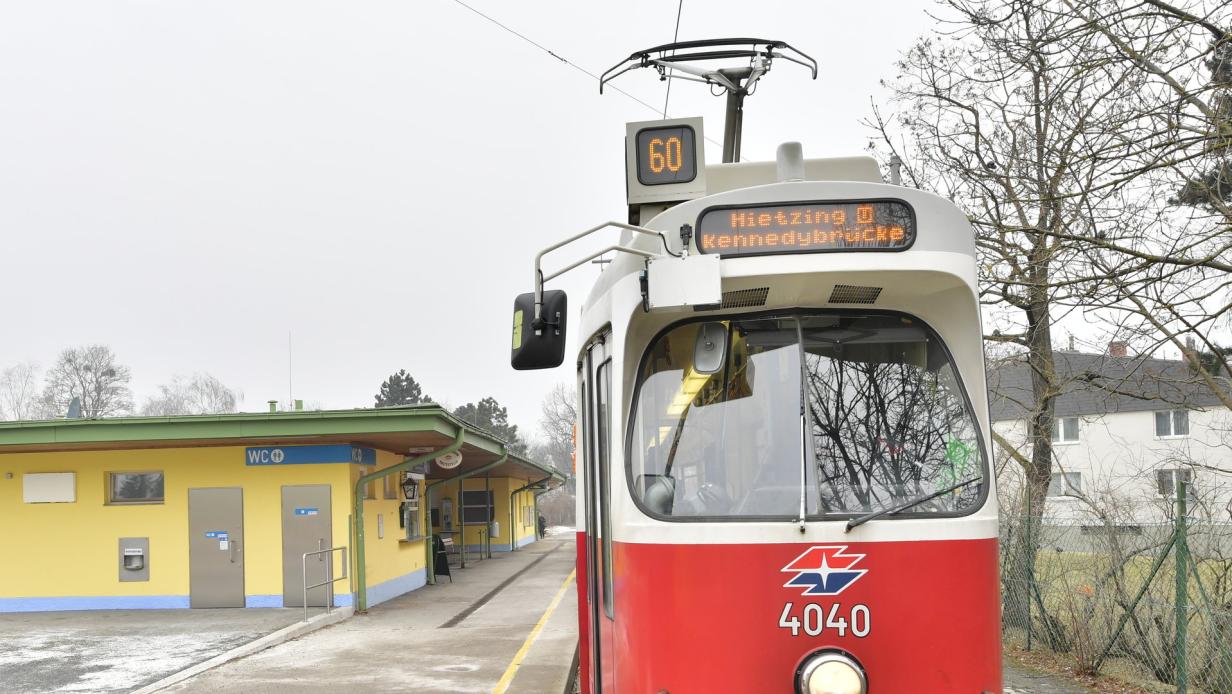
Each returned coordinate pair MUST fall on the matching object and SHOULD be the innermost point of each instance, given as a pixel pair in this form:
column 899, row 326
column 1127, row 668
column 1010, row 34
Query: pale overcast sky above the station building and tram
column 190, row 183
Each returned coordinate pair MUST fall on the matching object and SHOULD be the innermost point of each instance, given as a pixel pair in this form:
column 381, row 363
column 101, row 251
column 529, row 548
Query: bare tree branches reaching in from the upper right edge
column 1182, row 293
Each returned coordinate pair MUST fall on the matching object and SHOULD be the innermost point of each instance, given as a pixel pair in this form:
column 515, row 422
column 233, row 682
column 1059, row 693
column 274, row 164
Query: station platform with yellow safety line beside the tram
column 505, row 624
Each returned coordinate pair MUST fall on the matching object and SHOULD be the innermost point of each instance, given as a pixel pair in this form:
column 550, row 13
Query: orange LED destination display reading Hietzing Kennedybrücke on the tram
column 808, row 227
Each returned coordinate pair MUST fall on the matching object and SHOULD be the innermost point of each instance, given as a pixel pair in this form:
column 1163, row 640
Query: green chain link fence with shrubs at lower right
column 1148, row 603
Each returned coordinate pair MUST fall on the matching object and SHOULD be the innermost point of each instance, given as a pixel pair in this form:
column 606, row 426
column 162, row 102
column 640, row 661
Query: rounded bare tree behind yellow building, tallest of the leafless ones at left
column 93, row 375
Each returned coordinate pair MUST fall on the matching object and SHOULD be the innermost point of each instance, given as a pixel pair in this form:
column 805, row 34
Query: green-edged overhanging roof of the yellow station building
column 394, row 430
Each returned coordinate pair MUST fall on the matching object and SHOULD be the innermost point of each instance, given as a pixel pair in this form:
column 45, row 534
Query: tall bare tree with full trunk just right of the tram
column 1015, row 114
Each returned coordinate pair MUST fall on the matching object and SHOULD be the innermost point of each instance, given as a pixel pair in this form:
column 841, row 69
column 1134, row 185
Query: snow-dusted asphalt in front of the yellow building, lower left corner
column 120, row 650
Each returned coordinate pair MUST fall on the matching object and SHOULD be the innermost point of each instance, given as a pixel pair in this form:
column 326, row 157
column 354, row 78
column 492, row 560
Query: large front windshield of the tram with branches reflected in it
column 845, row 414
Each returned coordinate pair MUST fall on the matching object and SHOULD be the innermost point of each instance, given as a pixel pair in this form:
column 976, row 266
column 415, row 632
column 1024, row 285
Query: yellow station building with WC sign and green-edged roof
column 219, row 511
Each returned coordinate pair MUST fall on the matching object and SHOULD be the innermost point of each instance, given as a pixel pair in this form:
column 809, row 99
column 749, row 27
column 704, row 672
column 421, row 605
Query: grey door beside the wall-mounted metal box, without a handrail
column 216, row 548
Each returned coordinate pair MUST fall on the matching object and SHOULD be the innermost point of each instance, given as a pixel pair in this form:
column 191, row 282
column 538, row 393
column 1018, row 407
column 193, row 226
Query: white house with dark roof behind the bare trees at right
column 1127, row 430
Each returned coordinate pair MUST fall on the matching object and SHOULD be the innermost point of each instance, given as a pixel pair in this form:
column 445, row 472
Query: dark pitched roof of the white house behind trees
column 1100, row 384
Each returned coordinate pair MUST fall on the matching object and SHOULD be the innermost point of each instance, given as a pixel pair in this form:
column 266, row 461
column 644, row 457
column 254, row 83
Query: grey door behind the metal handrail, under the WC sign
column 306, row 528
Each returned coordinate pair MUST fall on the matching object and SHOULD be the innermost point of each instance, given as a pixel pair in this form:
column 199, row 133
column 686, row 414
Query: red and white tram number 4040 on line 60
column 784, row 478
